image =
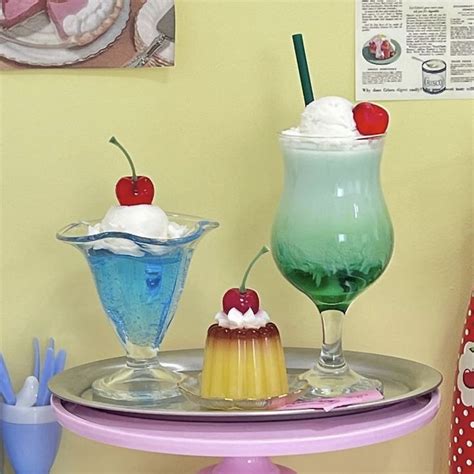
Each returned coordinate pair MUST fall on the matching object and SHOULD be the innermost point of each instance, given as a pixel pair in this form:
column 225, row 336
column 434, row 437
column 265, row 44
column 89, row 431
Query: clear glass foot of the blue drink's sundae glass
column 138, row 386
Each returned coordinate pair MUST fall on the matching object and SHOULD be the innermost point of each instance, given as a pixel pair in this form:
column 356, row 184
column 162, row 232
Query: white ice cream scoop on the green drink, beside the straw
column 328, row 117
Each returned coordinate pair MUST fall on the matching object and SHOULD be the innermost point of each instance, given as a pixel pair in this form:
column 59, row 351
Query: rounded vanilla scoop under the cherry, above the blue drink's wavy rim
column 143, row 220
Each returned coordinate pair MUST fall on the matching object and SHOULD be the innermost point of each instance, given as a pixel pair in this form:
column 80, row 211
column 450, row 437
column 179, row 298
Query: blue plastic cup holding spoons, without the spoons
column 31, row 436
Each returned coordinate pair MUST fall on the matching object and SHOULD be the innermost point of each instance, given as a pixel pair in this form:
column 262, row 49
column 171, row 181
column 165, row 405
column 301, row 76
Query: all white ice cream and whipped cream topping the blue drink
column 143, row 220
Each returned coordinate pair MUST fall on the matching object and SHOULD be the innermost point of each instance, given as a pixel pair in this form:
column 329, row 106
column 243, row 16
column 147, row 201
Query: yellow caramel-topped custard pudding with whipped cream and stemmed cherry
column 243, row 357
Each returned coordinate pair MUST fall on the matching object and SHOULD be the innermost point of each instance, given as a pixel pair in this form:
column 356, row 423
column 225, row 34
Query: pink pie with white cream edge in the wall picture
column 77, row 22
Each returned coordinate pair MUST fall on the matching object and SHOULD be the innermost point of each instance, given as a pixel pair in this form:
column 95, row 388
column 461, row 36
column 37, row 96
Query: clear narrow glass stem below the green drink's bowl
column 332, row 356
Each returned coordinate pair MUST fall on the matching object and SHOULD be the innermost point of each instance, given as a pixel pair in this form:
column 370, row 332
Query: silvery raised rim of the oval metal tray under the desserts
column 64, row 393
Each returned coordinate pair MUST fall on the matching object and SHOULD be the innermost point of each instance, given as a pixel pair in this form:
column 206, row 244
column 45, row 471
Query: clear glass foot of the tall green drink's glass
column 336, row 382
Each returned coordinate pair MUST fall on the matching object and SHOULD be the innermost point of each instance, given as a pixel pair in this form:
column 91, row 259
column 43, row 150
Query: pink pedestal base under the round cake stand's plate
column 246, row 466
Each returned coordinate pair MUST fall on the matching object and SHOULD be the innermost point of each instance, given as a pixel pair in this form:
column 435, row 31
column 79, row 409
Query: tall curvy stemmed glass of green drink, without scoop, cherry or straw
column 332, row 238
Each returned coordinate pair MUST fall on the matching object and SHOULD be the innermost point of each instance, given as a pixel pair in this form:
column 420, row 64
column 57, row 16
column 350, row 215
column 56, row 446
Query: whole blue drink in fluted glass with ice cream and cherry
column 139, row 256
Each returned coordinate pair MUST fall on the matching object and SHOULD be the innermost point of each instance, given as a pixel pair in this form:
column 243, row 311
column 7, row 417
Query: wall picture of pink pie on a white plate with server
column 86, row 33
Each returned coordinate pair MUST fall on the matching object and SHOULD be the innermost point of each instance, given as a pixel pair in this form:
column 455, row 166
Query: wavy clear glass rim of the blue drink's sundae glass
column 201, row 226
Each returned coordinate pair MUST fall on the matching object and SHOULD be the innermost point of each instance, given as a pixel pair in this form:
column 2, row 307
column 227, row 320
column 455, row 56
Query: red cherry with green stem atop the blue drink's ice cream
column 132, row 190
